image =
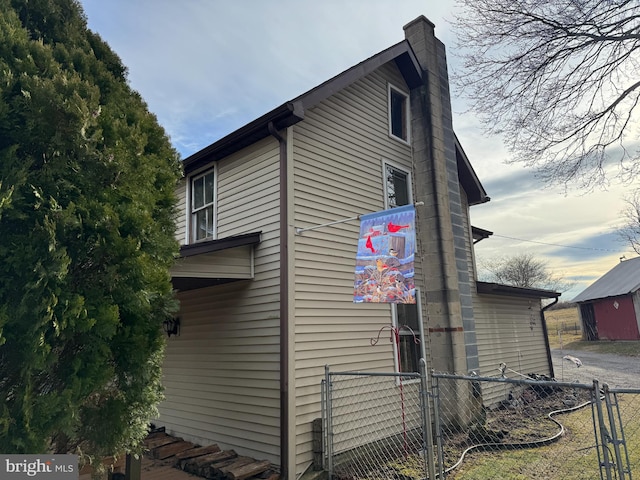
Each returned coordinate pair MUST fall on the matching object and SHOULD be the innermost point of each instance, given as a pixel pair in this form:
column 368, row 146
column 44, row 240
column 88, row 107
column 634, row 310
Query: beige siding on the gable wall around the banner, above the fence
column 338, row 153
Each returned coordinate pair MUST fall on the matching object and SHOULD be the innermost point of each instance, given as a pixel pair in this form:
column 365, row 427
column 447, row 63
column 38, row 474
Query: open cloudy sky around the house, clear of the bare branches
column 207, row 67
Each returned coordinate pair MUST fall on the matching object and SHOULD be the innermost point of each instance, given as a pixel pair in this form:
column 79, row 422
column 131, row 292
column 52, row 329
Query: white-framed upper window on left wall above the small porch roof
column 203, row 206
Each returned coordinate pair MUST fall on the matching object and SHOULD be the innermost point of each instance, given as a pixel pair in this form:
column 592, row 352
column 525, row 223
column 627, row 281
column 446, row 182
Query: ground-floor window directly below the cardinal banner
column 409, row 349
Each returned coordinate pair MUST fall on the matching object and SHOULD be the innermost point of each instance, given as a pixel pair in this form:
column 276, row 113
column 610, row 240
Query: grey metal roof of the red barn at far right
column 622, row 279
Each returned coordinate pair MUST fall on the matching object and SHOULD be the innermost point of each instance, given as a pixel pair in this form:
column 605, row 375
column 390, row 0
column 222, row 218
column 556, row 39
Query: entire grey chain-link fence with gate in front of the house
column 414, row 426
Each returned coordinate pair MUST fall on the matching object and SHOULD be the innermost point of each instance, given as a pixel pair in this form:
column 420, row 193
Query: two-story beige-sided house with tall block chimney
column 267, row 303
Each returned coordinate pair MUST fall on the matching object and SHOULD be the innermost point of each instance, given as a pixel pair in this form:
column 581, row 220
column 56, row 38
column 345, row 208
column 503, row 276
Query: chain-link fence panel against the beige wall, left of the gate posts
column 377, row 427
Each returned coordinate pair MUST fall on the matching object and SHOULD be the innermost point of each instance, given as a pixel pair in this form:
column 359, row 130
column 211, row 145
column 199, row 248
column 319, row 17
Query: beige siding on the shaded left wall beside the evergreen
column 221, row 374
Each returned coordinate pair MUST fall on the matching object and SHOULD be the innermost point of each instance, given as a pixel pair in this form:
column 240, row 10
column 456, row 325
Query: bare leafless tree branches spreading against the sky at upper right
column 558, row 80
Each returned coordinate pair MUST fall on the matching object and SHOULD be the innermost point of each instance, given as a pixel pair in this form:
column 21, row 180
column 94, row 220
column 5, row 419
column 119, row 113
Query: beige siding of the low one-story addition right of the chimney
column 509, row 330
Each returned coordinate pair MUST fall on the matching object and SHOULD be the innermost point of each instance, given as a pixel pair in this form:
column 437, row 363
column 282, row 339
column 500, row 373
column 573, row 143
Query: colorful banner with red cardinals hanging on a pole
column 385, row 259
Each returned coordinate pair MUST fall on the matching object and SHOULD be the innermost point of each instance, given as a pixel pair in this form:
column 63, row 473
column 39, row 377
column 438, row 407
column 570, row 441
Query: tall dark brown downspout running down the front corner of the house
column 284, row 303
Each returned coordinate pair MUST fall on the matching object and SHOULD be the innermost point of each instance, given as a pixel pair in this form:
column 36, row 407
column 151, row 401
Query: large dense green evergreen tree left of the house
column 87, row 181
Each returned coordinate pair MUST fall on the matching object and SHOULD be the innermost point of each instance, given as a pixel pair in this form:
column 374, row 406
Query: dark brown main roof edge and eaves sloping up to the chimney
column 293, row 111
